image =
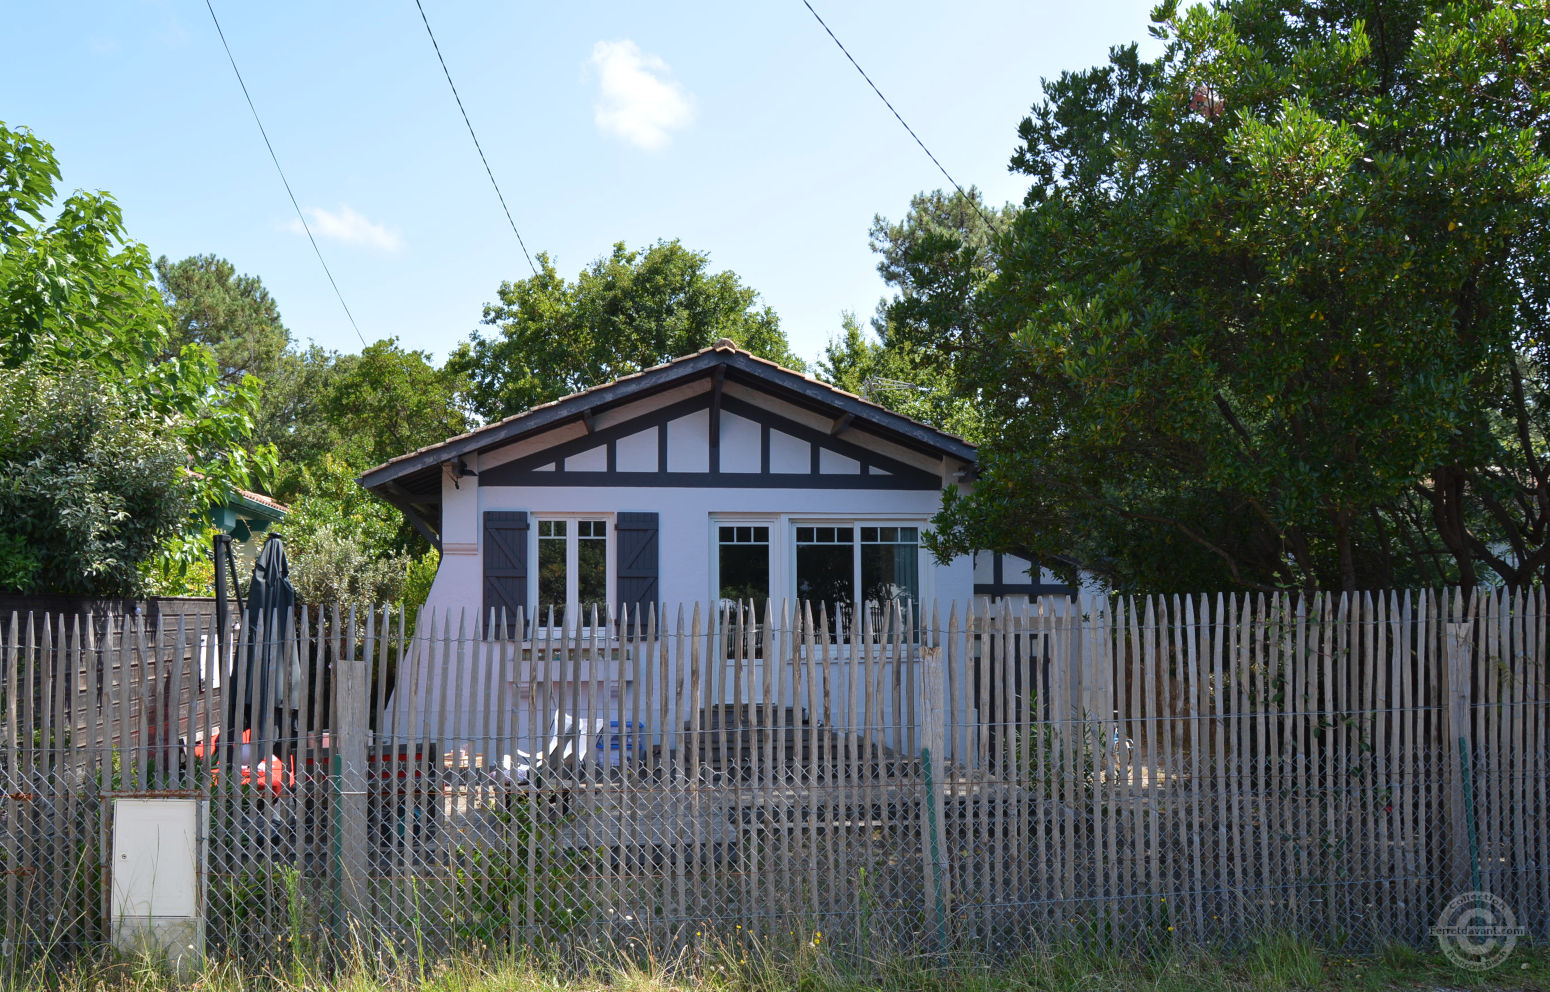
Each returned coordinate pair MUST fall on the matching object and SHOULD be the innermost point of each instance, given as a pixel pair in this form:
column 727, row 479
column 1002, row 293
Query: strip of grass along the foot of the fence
column 1278, row 965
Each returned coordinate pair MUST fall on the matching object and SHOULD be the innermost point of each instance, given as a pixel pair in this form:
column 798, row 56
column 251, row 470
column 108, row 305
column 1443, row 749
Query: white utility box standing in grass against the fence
column 159, row 863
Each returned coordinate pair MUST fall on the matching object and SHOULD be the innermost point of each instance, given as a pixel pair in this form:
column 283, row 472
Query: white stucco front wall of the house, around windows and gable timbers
column 466, row 695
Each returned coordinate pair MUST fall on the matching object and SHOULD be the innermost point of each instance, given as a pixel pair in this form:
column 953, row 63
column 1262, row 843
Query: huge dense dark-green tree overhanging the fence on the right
column 1273, row 312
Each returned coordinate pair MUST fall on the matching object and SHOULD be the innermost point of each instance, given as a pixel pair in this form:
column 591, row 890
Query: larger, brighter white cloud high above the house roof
column 638, row 102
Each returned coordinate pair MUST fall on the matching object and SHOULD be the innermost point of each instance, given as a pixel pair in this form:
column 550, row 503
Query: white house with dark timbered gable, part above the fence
column 717, row 477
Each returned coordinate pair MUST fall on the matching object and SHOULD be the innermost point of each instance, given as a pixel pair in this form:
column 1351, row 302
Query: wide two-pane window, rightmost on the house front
column 839, row 567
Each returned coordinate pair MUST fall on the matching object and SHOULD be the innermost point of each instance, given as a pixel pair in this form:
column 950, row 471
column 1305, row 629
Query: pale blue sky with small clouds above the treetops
column 737, row 128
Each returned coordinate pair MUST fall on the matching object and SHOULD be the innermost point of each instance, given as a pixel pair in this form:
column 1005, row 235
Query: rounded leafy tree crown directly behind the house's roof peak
column 629, row 311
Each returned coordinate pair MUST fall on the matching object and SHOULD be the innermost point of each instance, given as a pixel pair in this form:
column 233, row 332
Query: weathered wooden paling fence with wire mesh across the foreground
column 1118, row 771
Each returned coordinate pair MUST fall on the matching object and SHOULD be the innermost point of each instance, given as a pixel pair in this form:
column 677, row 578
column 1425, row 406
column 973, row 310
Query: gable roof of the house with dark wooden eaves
column 415, row 481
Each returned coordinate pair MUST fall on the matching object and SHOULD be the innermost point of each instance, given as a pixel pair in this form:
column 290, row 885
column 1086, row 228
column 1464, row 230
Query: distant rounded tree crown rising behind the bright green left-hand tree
column 233, row 315
